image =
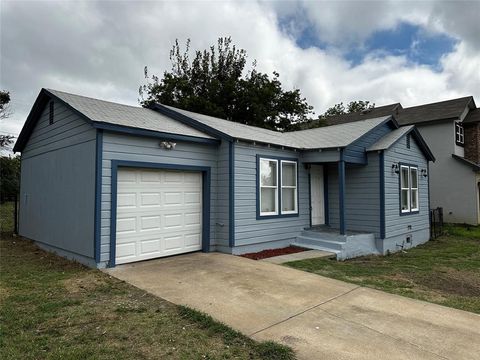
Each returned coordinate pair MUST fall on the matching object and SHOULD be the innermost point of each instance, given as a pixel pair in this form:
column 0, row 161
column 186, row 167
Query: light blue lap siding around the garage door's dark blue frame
column 134, row 148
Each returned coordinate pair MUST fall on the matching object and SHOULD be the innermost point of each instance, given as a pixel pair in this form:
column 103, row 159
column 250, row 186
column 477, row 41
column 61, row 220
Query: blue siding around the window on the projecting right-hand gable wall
column 396, row 224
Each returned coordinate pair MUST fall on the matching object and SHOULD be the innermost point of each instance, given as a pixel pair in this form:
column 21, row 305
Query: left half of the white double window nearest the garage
column 268, row 187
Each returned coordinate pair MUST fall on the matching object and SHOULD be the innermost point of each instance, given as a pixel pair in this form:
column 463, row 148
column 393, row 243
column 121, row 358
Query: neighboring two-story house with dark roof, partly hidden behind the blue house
column 452, row 131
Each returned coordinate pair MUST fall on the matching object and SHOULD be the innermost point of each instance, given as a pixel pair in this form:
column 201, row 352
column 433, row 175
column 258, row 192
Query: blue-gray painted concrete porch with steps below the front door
column 345, row 246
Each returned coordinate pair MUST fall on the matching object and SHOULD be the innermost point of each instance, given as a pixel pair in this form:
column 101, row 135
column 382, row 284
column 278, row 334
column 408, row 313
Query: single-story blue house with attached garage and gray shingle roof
column 105, row 183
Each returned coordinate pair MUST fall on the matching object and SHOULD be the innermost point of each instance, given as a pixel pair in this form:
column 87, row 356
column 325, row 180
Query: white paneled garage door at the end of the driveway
column 159, row 213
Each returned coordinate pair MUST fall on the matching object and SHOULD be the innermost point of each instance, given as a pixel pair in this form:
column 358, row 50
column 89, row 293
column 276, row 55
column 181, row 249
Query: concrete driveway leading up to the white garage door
column 319, row 317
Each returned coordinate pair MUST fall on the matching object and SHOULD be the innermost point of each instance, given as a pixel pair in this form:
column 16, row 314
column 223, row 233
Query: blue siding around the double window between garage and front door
column 249, row 230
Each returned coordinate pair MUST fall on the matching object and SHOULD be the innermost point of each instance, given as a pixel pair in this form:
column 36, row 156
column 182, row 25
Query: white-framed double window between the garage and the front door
column 278, row 189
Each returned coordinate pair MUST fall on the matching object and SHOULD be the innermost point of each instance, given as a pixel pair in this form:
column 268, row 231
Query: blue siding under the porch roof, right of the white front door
column 362, row 196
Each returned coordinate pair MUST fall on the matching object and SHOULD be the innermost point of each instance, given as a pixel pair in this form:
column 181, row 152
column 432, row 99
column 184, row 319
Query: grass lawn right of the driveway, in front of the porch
column 445, row 271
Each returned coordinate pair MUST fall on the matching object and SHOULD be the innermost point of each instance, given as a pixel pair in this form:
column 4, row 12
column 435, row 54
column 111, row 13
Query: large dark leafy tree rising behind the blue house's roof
column 215, row 83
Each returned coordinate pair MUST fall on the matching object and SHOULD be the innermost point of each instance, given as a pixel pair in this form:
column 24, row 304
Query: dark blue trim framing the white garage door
column 206, row 180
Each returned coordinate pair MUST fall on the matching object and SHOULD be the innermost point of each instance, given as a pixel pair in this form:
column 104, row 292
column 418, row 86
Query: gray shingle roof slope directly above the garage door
column 126, row 115
